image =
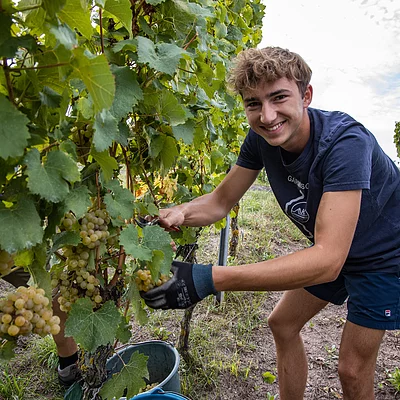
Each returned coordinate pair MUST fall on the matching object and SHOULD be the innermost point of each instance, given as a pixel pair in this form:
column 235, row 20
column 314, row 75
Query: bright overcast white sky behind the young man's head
column 353, row 48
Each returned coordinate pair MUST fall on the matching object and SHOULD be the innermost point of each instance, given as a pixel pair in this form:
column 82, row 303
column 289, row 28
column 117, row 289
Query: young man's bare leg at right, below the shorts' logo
column 357, row 360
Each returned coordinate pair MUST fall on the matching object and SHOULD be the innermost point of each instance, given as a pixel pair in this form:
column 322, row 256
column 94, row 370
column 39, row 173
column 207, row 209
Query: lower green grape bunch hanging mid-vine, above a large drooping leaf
column 75, row 280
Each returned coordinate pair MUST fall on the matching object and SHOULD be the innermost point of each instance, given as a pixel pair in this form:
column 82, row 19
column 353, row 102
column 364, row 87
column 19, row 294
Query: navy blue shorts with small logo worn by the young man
column 373, row 298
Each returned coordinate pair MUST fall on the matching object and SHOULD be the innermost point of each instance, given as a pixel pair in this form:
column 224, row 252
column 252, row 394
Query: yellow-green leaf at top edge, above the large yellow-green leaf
column 76, row 17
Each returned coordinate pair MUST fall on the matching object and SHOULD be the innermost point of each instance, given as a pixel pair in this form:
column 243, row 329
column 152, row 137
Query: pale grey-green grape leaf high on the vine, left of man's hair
column 163, row 57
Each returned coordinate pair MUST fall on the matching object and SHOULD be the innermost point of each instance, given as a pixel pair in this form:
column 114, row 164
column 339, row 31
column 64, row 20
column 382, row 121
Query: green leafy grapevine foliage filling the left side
column 115, row 105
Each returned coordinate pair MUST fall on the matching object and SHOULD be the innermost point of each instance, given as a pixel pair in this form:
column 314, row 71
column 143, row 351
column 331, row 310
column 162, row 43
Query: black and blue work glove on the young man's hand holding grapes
column 189, row 284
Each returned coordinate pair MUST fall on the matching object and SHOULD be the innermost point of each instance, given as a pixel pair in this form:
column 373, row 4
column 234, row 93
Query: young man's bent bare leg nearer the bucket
column 295, row 308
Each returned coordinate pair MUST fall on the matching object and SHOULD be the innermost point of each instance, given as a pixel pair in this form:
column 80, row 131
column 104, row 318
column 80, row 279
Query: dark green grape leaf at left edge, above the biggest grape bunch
column 20, row 226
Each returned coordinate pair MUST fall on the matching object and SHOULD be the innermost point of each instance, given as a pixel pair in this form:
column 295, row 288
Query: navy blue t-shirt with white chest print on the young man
column 341, row 154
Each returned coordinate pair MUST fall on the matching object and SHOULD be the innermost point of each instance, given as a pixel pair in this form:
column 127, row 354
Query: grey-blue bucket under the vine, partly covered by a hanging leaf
column 162, row 364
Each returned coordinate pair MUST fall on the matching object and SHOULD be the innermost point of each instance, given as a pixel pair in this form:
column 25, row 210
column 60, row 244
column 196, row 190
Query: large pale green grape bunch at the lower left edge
column 27, row 310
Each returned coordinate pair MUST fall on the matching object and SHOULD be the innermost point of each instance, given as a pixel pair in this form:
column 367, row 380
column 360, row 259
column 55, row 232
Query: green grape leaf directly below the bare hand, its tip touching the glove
column 156, row 238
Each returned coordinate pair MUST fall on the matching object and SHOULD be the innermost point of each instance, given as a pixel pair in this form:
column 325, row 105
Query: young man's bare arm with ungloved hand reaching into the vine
column 212, row 207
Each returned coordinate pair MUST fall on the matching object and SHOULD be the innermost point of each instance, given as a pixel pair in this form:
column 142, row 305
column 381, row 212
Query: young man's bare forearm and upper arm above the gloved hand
column 334, row 231
